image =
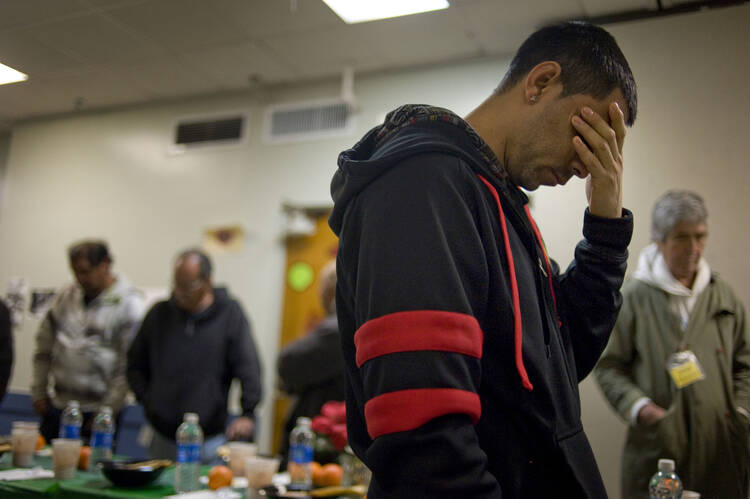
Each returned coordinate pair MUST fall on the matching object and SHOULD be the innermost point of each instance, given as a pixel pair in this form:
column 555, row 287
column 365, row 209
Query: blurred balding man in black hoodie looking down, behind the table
column 186, row 354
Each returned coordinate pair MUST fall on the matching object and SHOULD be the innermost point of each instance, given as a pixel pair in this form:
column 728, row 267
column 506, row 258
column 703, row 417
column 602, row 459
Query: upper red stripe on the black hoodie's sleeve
column 418, row 330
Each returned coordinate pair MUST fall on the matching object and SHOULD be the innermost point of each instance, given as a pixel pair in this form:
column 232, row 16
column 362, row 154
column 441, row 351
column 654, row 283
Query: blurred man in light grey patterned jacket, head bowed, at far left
column 82, row 342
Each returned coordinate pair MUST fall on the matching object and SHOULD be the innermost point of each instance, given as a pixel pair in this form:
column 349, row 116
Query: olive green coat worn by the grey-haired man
column 702, row 430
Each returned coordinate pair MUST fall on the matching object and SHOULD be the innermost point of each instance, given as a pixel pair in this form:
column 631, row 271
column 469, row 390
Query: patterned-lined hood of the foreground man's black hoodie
column 407, row 131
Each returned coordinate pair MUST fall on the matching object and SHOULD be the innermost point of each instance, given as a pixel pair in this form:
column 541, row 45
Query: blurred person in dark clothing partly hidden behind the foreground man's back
column 311, row 368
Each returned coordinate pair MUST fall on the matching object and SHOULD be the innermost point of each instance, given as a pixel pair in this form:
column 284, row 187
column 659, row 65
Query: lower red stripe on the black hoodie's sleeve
column 409, row 409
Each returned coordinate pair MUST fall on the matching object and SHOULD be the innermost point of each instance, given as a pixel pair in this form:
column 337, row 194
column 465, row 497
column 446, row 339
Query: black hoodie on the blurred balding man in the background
column 181, row 362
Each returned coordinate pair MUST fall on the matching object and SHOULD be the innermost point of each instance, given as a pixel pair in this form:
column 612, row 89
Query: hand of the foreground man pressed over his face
column 599, row 147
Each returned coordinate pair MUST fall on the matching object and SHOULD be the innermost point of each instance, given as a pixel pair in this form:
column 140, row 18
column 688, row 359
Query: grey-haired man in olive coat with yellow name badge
column 677, row 365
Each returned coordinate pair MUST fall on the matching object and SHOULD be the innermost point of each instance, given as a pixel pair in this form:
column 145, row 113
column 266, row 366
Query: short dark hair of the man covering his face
column 592, row 63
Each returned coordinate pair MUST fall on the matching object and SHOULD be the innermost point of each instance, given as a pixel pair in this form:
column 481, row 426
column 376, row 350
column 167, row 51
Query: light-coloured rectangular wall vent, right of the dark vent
column 308, row 120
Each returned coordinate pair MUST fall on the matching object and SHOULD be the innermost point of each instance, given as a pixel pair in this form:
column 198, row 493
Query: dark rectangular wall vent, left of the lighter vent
column 211, row 130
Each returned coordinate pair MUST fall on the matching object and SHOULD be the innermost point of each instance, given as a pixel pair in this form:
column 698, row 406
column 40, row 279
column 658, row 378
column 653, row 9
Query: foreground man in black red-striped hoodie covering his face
column 463, row 344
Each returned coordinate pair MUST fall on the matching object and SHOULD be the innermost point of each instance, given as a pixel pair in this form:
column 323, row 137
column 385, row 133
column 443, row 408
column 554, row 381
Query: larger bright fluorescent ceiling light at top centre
column 358, row 11
